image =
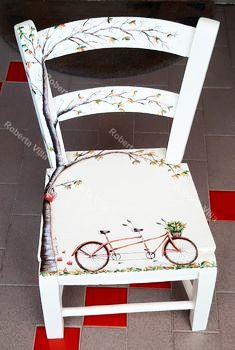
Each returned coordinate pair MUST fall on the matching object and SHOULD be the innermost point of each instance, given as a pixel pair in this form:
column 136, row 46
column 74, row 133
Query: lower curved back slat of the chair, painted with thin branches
column 115, row 99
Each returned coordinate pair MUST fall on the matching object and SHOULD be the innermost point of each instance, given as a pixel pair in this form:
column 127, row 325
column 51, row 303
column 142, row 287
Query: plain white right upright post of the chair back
column 194, row 76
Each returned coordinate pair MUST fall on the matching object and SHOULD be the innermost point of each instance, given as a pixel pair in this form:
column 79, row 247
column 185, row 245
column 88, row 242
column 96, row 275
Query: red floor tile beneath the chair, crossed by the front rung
column 106, row 296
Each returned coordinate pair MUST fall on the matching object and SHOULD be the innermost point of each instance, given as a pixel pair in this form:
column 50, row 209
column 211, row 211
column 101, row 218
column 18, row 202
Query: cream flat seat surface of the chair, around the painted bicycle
column 107, row 189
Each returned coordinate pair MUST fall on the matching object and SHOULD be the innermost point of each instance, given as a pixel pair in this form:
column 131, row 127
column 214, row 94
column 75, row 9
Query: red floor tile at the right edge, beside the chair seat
column 222, row 205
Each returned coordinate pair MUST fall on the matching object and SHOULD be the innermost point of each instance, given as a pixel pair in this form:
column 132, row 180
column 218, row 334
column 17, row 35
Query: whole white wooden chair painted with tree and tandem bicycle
column 93, row 191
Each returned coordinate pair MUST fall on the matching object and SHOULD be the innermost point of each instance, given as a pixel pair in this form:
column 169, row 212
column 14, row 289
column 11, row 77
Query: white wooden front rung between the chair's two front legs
column 127, row 308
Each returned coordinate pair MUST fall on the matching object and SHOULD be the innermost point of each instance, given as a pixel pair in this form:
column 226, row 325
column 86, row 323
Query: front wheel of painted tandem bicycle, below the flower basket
column 186, row 254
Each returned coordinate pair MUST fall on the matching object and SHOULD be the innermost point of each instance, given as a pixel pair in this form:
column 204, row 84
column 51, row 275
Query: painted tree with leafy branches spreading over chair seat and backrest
column 81, row 36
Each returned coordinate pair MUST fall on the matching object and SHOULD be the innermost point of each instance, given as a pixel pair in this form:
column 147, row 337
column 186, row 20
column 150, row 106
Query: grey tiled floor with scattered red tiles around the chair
column 211, row 156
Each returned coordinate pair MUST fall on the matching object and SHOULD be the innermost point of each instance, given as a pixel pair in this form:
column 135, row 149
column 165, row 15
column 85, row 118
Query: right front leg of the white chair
column 203, row 290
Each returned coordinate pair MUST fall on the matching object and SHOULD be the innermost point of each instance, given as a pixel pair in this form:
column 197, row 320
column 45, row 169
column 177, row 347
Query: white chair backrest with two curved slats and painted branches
column 118, row 32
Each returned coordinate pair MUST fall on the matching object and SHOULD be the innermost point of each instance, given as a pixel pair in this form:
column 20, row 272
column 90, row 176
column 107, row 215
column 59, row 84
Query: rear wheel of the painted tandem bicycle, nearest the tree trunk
column 92, row 256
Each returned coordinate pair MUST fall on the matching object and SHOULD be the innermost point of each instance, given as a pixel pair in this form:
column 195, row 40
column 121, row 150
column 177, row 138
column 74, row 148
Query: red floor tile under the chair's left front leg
column 69, row 342
